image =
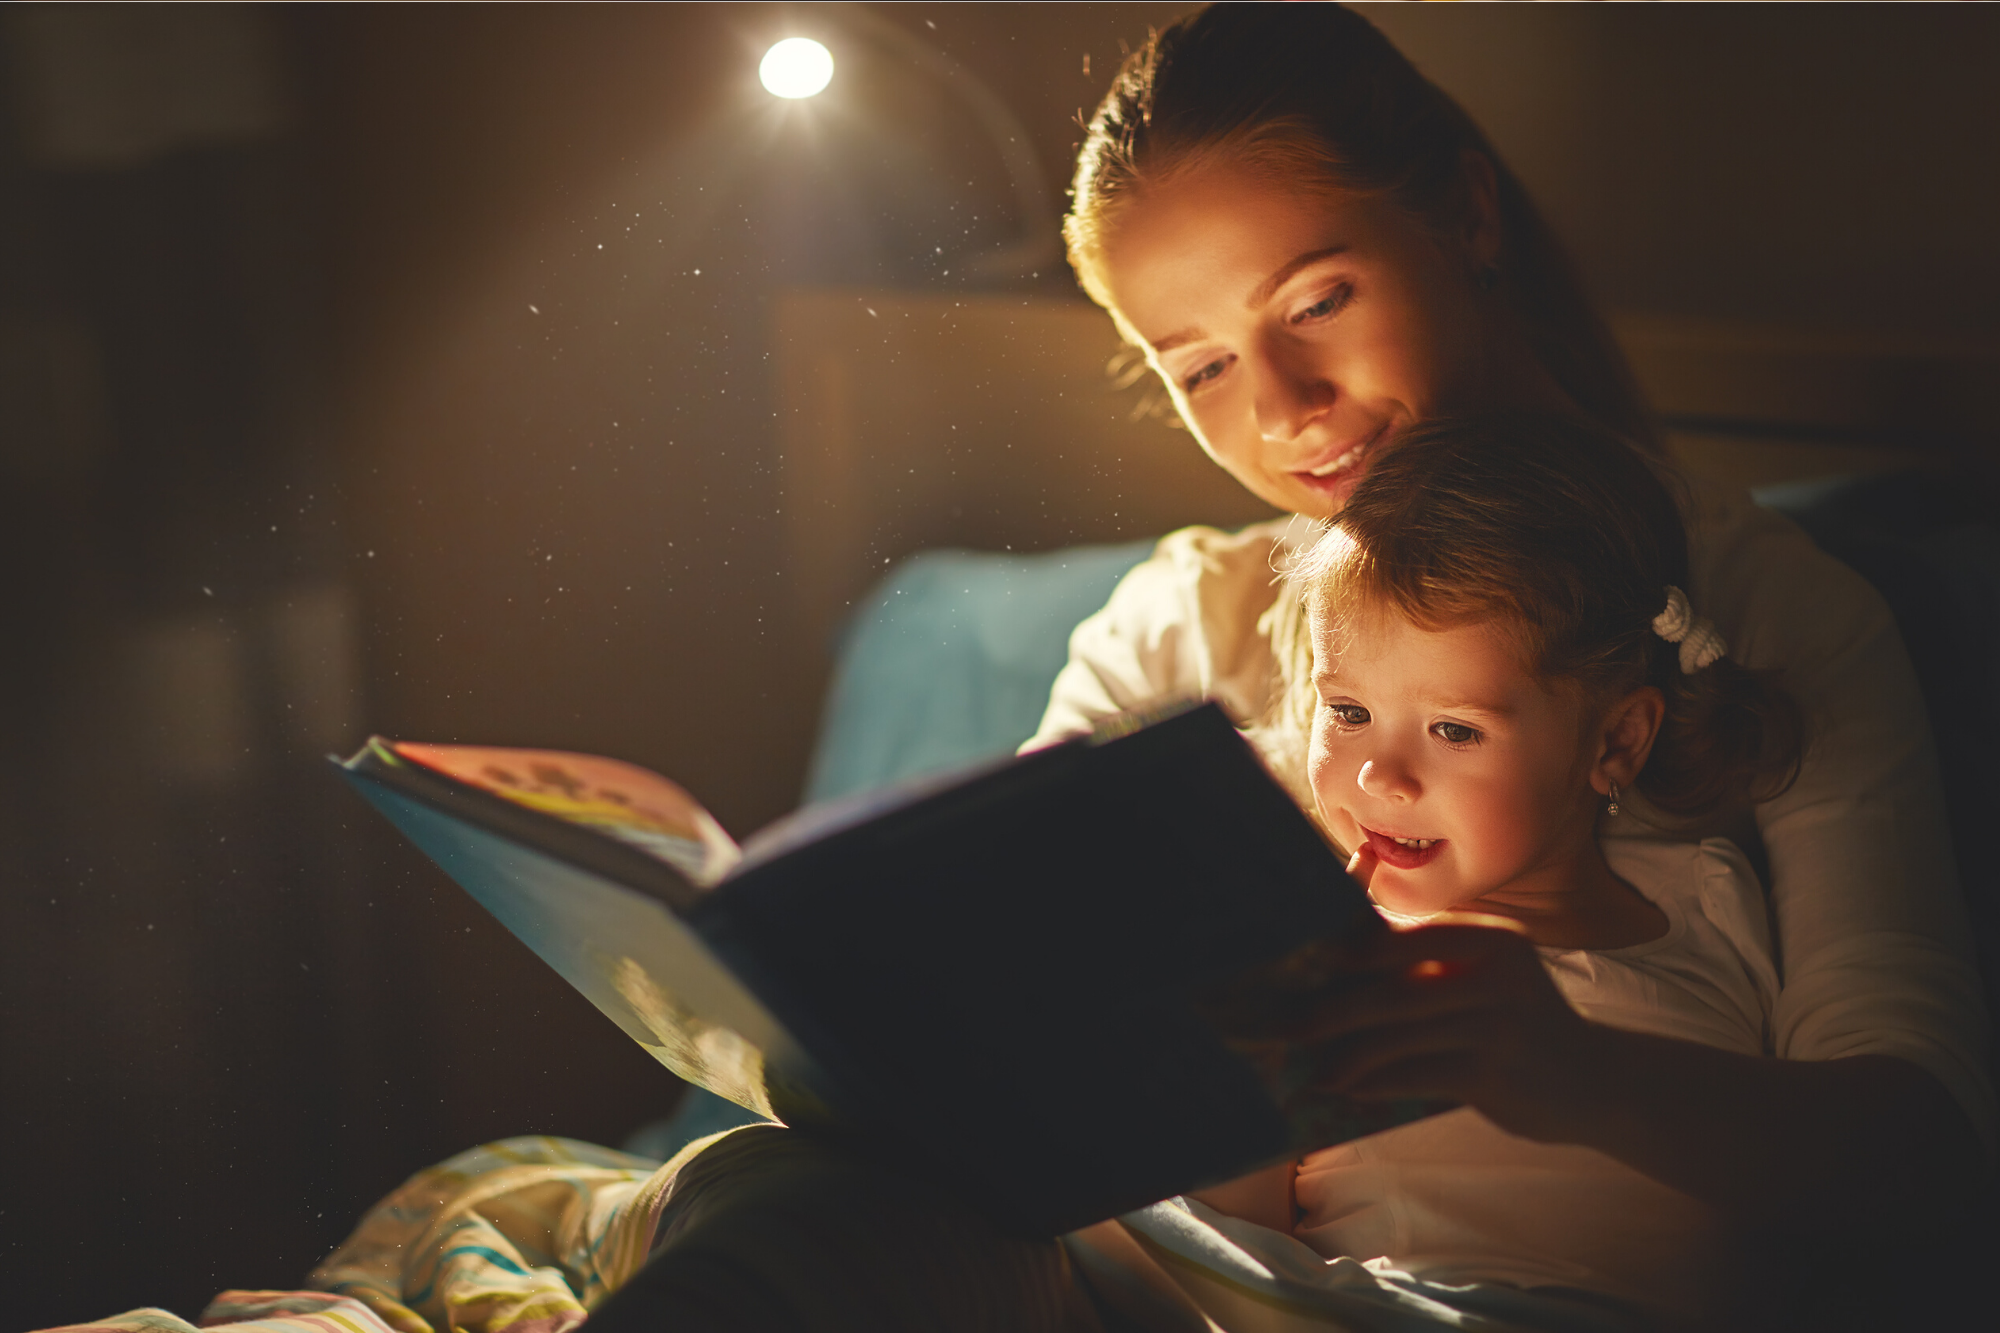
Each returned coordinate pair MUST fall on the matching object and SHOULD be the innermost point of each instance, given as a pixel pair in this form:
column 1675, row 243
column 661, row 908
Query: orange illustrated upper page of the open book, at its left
column 607, row 796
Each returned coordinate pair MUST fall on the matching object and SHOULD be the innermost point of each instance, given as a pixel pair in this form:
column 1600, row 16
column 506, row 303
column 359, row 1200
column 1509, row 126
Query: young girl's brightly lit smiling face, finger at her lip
column 1451, row 760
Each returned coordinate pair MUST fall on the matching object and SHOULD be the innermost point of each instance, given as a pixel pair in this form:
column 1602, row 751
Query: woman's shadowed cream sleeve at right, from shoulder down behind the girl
column 1873, row 934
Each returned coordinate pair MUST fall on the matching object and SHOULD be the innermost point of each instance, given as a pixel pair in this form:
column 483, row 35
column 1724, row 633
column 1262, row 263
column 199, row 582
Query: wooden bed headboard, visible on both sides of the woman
column 993, row 421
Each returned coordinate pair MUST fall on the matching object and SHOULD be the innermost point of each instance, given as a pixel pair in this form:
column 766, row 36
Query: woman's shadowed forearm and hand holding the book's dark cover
column 1469, row 1014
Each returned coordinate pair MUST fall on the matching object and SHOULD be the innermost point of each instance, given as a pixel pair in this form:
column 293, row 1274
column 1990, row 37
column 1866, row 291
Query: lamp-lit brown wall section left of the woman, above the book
column 559, row 241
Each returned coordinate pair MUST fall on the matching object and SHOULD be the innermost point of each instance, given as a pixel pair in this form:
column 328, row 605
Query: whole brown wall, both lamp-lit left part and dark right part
column 519, row 469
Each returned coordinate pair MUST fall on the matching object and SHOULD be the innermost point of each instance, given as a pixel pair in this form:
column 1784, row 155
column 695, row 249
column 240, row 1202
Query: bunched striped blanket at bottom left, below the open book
column 523, row 1236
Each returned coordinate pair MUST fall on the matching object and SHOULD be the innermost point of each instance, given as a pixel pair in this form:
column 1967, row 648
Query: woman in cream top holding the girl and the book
column 1315, row 247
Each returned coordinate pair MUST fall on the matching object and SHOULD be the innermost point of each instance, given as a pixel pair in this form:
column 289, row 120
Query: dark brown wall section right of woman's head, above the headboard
column 1793, row 165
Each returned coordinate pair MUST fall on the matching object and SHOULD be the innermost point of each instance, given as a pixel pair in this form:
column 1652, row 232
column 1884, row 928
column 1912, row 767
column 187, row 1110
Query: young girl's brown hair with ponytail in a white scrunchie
column 1565, row 539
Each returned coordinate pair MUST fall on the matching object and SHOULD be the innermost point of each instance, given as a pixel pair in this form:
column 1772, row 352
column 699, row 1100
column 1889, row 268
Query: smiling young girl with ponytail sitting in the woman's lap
column 1503, row 665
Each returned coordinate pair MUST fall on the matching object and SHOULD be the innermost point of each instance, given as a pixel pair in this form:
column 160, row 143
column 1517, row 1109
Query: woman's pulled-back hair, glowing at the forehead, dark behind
column 1315, row 97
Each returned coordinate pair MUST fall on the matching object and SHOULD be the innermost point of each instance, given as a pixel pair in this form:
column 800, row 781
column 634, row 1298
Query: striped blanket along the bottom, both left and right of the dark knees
column 529, row 1236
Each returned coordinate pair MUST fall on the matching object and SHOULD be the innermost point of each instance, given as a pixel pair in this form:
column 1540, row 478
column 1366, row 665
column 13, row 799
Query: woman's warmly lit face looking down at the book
column 1295, row 329
